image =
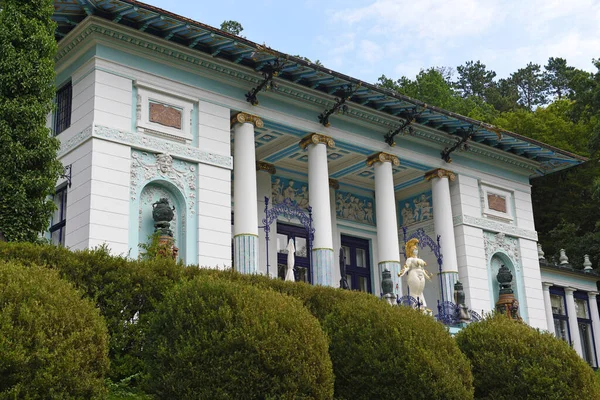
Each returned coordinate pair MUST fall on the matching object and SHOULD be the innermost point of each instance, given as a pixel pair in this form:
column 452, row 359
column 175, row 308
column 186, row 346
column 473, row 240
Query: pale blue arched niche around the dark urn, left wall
column 151, row 193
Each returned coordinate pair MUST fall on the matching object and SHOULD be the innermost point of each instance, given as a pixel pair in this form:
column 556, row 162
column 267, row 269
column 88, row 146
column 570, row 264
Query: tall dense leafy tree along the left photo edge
column 29, row 168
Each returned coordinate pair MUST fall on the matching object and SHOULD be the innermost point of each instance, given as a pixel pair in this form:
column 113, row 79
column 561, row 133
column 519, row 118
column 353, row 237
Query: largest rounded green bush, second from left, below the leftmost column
column 212, row 338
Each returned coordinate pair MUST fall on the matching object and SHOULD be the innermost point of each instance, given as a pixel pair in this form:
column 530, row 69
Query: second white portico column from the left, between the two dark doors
column 318, row 193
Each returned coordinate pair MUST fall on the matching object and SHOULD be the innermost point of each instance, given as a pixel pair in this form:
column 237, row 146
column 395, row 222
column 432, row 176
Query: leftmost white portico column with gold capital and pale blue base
column 245, row 213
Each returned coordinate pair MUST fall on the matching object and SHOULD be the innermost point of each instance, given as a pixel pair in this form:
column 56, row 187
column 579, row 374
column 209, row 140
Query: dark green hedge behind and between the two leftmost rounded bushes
column 123, row 290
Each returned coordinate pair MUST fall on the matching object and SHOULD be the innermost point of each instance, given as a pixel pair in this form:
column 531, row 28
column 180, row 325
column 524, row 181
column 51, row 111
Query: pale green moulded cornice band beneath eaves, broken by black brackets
column 180, row 56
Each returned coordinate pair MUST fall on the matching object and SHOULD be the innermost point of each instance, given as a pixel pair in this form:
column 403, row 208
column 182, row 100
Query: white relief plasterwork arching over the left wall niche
column 146, row 167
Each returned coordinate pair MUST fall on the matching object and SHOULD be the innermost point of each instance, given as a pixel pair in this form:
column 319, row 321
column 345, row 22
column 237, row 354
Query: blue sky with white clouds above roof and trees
column 365, row 39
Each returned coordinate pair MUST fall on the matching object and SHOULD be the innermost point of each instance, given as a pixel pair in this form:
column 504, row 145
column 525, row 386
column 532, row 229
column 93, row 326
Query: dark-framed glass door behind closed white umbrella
column 298, row 234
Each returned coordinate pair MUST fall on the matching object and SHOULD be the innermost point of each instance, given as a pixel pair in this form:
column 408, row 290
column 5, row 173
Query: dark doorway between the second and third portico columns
column 358, row 263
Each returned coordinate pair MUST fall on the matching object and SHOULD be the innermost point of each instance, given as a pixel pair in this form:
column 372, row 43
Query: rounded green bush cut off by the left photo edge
column 53, row 344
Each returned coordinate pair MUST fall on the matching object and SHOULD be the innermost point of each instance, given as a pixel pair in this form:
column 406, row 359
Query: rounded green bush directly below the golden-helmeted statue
column 384, row 352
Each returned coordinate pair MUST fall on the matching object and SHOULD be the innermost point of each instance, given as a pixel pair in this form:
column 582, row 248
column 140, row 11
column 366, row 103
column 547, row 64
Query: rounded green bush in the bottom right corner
column 511, row 360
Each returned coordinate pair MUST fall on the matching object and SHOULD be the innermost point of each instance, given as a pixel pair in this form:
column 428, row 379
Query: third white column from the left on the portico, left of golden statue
column 388, row 250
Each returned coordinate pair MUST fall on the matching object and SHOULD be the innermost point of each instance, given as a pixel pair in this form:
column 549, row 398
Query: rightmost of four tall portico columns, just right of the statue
column 442, row 222
